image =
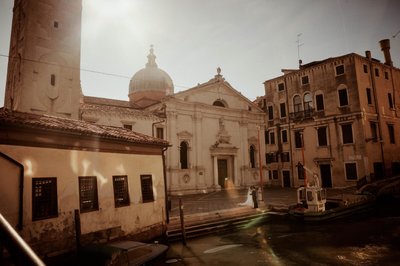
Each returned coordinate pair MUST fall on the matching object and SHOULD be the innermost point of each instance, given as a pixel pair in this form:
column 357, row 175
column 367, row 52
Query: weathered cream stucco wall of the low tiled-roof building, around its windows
column 67, row 166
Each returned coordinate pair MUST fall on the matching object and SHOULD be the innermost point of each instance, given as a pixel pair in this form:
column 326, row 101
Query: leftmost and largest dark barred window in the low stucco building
column 44, row 198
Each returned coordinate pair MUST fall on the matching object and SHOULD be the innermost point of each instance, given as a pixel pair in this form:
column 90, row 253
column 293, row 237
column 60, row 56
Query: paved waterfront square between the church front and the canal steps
column 273, row 199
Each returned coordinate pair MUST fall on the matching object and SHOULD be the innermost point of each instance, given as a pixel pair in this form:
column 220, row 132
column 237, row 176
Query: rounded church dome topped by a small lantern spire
column 150, row 84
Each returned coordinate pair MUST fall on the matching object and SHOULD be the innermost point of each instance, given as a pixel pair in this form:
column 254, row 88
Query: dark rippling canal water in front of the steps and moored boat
column 367, row 240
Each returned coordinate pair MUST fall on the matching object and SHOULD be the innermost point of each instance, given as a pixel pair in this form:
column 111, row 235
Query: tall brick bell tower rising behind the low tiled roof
column 44, row 66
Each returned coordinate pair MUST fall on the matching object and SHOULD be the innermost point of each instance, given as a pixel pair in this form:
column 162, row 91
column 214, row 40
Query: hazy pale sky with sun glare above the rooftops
column 250, row 40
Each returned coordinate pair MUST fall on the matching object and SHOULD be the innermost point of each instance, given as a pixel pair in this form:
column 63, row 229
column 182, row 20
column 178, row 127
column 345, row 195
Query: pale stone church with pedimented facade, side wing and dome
column 213, row 130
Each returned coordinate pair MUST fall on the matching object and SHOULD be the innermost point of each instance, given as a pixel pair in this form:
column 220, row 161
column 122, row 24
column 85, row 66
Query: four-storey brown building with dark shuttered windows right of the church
column 338, row 117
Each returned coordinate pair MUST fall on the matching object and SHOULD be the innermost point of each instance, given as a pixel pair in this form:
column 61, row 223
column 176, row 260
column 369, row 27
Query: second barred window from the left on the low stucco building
column 88, row 197
